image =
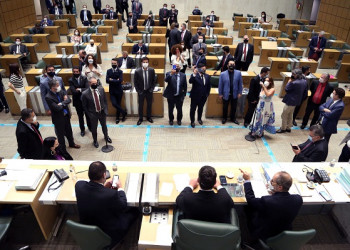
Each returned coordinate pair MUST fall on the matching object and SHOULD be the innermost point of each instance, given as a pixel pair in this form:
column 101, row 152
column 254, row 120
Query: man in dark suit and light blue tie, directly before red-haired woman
column 175, row 92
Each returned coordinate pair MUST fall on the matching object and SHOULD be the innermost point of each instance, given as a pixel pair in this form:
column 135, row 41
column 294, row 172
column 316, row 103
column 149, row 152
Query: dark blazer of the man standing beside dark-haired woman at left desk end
column 29, row 143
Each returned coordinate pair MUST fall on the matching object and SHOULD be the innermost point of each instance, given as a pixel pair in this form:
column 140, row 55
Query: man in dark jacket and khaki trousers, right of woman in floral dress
column 296, row 91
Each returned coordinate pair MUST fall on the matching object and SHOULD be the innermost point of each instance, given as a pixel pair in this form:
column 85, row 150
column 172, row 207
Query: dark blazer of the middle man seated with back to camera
column 205, row 205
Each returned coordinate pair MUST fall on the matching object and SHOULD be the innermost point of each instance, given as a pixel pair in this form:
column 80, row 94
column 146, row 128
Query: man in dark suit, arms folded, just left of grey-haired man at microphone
column 78, row 84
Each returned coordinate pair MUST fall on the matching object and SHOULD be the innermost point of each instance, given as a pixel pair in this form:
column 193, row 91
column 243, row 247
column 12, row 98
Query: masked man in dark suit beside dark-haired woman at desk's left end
column 28, row 136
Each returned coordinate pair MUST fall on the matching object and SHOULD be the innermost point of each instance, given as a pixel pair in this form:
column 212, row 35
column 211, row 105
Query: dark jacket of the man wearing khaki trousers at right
column 295, row 92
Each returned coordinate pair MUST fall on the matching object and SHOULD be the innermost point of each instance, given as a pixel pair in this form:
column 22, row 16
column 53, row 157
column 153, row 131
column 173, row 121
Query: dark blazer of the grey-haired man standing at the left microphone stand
column 88, row 101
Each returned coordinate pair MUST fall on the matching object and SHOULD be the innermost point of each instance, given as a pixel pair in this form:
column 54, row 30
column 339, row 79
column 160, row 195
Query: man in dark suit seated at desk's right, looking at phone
column 315, row 149
